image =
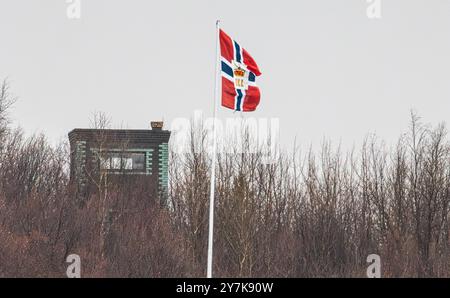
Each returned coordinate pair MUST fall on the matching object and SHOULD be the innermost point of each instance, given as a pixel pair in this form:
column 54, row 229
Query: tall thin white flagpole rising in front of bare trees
column 213, row 162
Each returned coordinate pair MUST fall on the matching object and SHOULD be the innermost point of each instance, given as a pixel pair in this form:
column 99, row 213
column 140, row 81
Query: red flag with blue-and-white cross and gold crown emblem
column 239, row 72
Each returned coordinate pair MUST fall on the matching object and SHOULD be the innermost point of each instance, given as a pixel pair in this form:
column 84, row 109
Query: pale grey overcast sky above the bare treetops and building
column 328, row 70
